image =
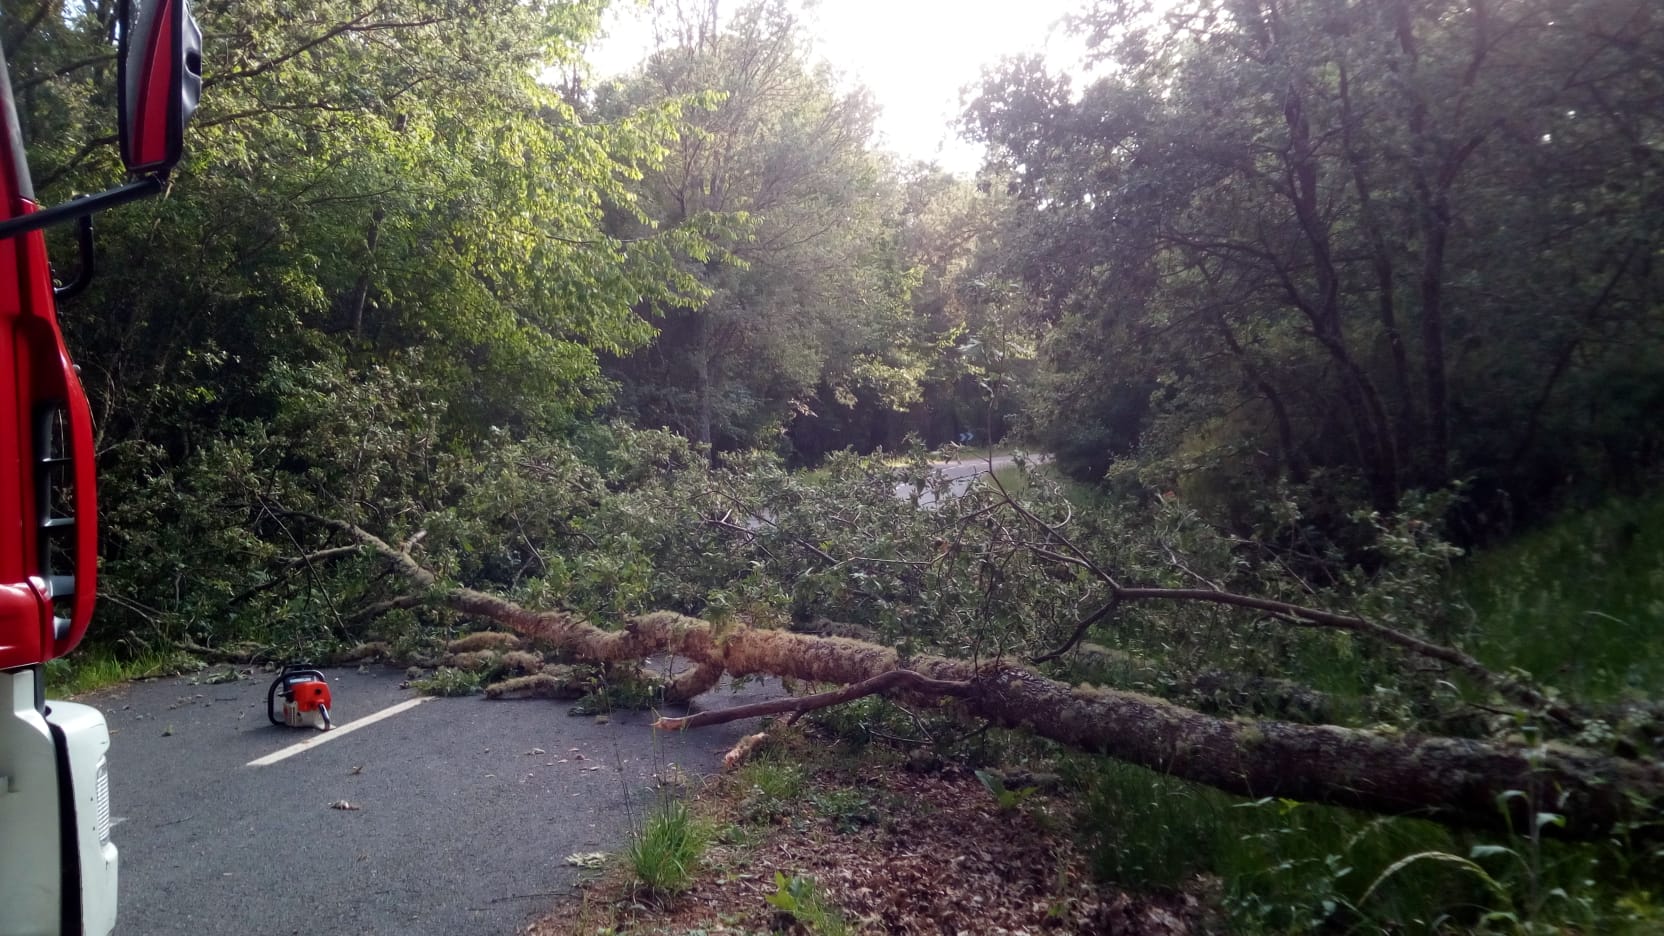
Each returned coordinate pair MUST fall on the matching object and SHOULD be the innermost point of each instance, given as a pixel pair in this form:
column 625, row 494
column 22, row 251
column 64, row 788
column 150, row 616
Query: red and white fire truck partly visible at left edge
column 57, row 862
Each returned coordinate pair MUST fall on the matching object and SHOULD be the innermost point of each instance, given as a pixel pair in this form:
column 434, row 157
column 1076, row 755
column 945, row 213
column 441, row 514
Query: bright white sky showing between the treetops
column 916, row 57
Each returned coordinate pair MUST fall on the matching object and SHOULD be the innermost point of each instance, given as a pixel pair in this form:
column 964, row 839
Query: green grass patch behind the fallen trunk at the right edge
column 1593, row 582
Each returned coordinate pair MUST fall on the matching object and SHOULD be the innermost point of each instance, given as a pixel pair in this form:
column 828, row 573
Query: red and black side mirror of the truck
column 162, row 77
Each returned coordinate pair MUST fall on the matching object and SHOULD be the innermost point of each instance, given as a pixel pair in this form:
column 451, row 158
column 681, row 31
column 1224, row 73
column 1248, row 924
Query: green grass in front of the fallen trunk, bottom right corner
column 1285, row 867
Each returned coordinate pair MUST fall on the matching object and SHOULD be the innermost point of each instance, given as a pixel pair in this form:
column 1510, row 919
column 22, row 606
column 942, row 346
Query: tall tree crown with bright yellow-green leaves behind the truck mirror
column 362, row 181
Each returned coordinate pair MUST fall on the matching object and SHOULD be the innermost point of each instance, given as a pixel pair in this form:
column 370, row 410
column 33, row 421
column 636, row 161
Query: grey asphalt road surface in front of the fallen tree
column 465, row 810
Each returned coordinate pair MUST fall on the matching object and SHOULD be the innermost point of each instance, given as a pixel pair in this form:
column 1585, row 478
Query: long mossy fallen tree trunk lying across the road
column 1455, row 782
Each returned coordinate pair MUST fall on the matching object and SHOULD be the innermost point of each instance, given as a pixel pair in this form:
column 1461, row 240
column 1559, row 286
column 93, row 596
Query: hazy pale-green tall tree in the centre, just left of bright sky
column 815, row 292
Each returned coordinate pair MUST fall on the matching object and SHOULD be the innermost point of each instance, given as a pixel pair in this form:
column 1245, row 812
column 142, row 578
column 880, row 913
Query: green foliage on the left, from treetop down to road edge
column 387, row 251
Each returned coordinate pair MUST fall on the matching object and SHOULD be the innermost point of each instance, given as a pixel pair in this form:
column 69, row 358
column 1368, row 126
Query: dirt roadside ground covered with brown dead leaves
column 893, row 852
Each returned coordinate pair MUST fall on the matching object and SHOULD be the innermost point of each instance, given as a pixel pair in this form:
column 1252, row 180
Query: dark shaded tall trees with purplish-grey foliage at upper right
column 1350, row 236
